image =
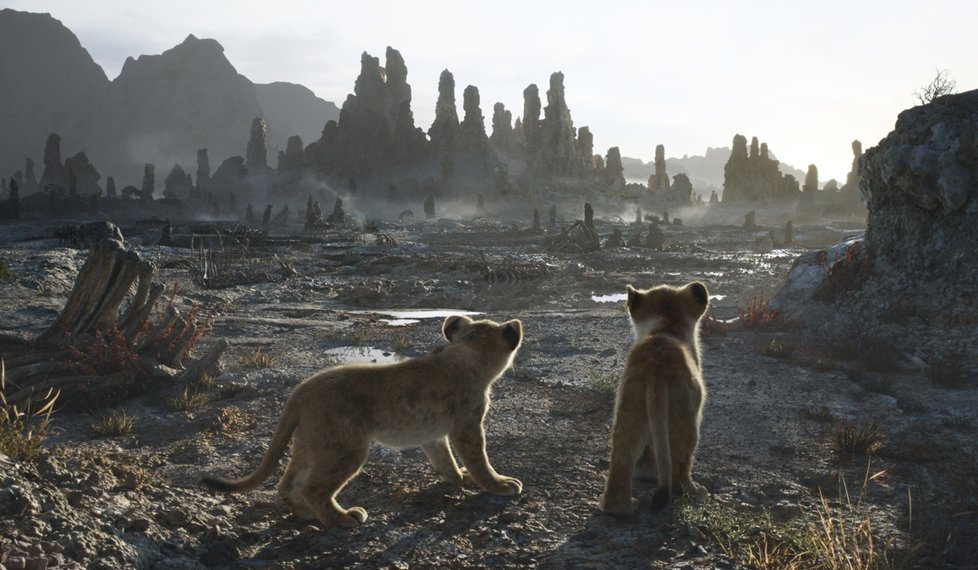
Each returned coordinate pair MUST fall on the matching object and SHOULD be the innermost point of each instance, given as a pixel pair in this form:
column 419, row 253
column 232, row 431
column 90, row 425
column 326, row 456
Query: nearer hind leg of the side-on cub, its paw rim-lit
column 331, row 469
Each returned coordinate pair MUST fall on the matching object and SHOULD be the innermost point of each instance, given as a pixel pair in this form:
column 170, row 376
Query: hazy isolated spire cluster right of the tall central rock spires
column 755, row 177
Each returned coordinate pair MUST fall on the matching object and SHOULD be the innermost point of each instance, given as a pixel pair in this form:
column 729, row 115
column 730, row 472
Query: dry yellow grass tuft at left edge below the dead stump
column 23, row 427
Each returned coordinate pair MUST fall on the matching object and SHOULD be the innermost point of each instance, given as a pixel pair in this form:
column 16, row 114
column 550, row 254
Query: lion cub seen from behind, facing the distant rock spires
column 659, row 405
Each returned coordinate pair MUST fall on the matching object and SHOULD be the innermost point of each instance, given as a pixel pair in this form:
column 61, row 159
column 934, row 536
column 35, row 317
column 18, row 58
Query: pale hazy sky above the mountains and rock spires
column 805, row 77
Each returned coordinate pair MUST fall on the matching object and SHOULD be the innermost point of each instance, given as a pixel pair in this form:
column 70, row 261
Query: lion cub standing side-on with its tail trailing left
column 428, row 401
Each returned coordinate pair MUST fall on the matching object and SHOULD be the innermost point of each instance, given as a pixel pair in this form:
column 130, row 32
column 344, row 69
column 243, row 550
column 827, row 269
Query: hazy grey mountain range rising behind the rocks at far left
column 160, row 109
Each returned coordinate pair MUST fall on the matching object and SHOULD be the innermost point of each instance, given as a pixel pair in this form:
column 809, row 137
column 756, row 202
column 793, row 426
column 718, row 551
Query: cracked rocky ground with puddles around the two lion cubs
column 780, row 403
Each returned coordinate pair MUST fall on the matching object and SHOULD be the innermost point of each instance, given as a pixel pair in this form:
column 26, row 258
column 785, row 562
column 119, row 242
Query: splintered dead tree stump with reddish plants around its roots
column 97, row 342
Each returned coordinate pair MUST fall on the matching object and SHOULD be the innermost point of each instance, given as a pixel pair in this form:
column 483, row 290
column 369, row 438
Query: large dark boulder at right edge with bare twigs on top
column 909, row 282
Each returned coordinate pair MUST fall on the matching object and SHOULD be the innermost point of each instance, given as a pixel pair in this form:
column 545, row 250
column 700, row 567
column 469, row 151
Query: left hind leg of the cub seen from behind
column 629, row 437
